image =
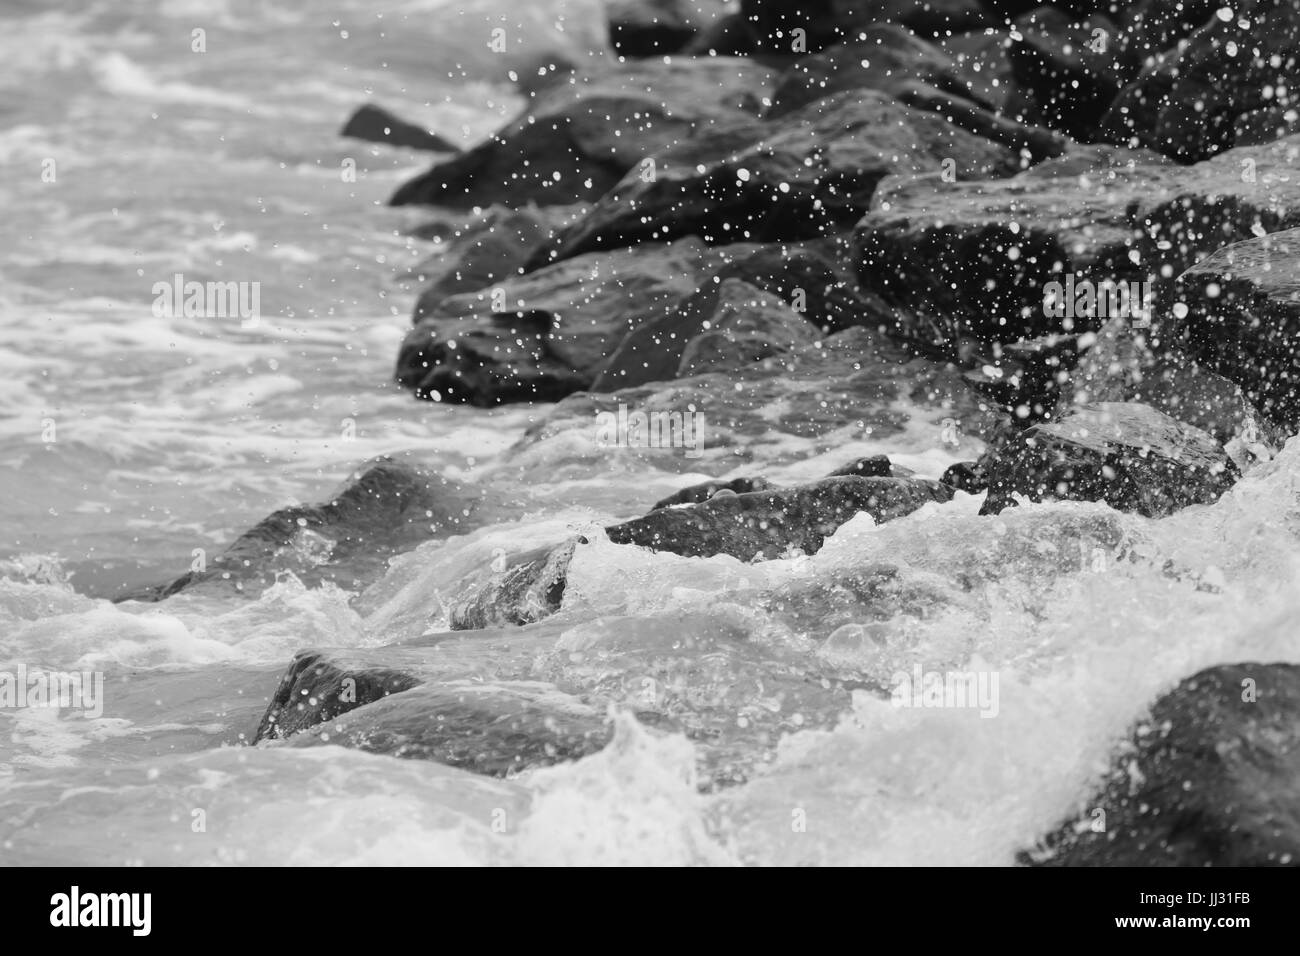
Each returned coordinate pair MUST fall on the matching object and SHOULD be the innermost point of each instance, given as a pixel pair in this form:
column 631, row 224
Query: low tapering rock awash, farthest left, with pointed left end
column 389, row 508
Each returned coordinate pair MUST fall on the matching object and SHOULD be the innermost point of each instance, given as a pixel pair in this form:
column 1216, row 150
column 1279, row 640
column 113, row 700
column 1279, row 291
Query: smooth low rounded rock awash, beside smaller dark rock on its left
column 492, row 729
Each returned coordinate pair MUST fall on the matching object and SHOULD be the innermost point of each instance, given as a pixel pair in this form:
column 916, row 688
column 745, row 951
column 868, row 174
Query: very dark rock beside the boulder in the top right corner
column 1072, row 70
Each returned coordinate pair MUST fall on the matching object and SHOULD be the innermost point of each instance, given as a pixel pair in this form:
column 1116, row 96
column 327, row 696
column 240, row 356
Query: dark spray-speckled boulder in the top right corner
column 1188, row 105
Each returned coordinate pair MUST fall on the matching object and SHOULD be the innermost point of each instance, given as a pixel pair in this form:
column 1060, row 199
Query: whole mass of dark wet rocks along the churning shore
column 843, row 214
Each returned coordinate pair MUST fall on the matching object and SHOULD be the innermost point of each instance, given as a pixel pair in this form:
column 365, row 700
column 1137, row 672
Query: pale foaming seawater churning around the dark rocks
column 131, row 440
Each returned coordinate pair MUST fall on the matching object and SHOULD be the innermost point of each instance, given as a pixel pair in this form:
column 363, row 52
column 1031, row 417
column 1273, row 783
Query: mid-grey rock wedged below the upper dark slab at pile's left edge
column 487, row 252
